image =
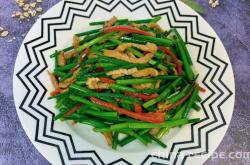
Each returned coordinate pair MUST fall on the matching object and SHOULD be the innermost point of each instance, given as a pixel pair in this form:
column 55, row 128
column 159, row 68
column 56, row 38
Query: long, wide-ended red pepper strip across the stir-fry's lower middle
column 156, row 117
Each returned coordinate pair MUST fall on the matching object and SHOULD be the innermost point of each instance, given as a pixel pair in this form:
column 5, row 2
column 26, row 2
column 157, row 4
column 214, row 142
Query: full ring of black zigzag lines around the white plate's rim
column 66, row 142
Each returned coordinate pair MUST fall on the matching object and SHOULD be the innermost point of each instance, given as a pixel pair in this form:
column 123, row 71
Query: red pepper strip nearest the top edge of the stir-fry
column 127, row 29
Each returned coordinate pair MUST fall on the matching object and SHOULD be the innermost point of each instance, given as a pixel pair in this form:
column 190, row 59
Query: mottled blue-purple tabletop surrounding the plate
column 231, row 21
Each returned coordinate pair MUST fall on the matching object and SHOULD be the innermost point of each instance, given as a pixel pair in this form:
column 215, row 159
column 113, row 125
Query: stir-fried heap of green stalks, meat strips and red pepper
column 129, row 79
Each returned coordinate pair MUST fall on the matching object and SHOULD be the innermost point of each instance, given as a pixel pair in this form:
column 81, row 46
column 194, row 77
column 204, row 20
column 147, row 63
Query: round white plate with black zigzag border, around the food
column 62, row 143
